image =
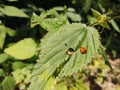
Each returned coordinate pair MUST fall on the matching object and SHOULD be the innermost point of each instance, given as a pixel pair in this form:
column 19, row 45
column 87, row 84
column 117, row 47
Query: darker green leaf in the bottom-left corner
column 8, row 83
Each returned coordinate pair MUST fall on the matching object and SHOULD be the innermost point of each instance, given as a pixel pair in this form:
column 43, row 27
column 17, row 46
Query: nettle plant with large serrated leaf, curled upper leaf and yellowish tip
column 66, row 48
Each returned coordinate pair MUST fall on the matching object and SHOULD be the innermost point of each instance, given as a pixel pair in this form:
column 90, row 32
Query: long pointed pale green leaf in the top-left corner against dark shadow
column 12, row 11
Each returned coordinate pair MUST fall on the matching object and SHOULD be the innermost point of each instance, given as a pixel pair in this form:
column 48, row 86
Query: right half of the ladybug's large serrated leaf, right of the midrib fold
column 78, row 60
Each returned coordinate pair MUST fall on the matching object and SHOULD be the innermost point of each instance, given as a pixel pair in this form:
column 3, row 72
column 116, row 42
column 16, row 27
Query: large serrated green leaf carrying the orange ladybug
column 54, row 47
